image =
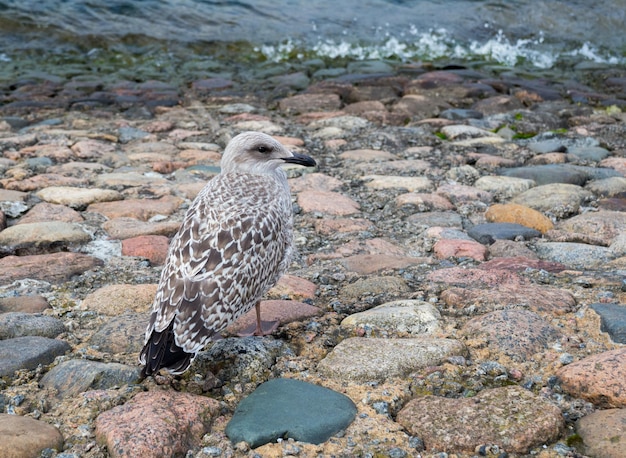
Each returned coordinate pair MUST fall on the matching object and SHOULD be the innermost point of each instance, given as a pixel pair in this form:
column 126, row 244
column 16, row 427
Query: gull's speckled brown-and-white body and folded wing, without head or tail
column 226, row 255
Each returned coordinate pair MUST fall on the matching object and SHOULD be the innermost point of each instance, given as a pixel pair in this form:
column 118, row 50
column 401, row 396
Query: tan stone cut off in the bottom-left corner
column 24, row 437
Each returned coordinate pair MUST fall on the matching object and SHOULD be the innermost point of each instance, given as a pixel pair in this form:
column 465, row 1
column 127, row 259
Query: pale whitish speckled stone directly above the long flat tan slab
column 410, row 316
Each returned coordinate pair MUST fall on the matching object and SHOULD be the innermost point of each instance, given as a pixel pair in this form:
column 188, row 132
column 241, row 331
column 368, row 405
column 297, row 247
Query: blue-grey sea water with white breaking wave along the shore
column 516, row 33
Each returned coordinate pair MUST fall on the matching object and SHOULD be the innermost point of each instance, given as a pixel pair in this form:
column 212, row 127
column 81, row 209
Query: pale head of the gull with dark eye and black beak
column 256, row 152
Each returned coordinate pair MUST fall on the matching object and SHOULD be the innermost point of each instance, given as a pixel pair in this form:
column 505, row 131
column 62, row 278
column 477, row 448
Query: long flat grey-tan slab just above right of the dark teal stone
column 362, row 359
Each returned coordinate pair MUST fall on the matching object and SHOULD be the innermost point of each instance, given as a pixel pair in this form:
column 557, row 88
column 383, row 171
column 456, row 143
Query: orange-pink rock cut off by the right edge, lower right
column 600, row 379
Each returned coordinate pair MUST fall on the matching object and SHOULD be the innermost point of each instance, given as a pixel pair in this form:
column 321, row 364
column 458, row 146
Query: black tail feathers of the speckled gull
column 161, row 352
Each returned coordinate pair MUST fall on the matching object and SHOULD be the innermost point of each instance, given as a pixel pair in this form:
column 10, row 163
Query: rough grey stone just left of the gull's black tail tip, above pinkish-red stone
column 78, row 375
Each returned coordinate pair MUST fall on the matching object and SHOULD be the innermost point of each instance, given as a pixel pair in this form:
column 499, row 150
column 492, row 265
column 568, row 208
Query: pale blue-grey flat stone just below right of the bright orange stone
column 575, row 255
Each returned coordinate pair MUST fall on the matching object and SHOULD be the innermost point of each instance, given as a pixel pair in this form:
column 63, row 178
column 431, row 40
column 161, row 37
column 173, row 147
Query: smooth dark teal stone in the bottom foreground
column 285, row 408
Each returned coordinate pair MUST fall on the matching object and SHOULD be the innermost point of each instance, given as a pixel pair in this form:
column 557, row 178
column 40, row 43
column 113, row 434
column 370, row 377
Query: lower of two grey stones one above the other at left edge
column 28, row 352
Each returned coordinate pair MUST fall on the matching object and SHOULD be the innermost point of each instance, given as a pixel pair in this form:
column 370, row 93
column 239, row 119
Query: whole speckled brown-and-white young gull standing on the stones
column 234, row 244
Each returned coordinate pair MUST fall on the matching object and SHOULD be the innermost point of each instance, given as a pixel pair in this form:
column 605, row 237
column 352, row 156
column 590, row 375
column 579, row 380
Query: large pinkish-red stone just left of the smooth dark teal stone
column 176, row 421
